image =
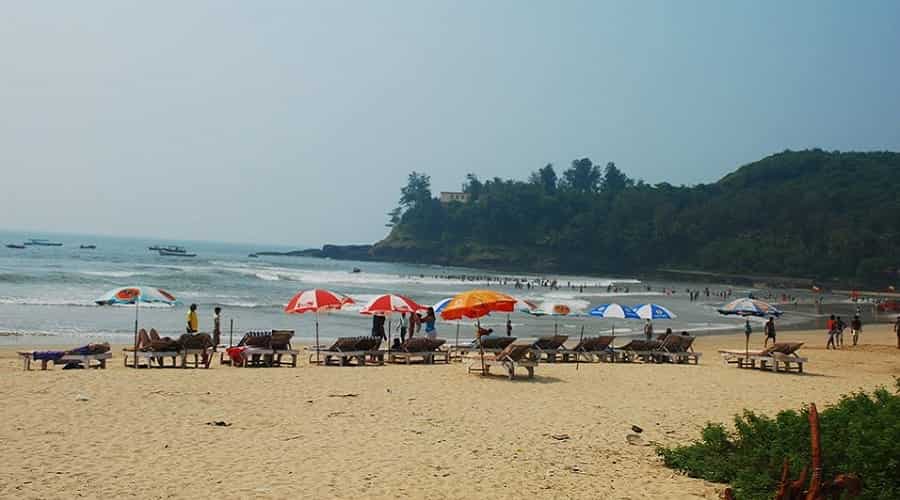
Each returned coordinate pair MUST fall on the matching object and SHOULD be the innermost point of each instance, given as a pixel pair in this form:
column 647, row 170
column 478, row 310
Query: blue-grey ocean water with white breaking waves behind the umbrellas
column 47, row 293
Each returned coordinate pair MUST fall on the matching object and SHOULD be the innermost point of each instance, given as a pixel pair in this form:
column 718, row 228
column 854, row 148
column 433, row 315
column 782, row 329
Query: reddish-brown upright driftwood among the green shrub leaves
column 819, row 489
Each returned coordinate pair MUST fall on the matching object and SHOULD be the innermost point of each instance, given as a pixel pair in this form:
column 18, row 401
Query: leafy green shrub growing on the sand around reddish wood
column 860, row 434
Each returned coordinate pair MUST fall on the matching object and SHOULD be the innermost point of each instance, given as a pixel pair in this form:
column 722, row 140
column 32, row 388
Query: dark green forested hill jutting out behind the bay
column 816, row 214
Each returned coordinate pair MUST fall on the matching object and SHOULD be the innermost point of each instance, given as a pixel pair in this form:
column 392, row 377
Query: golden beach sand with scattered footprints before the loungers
column 395, row 431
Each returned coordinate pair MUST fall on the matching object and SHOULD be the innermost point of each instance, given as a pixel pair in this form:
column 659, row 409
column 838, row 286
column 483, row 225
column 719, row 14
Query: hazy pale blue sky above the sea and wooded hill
column 297, row 122
